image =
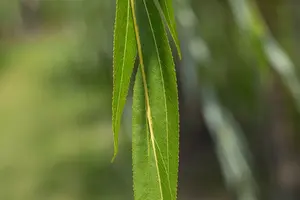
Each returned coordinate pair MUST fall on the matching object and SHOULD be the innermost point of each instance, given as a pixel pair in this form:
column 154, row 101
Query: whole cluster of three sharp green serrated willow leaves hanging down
column 141, row 30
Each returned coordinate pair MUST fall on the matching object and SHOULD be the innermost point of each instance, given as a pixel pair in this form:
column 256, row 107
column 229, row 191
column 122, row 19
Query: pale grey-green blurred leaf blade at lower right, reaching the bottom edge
column 231, row 147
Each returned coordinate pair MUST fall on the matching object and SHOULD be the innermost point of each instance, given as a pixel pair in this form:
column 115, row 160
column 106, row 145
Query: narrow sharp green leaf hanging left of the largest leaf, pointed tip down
column 123, row 62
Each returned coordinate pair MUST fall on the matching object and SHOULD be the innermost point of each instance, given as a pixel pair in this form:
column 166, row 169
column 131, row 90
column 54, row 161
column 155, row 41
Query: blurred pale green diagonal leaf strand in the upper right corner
column 251, row 22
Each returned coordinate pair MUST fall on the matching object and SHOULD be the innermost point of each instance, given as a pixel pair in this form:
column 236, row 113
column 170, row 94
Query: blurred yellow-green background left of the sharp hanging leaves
column 55, row 88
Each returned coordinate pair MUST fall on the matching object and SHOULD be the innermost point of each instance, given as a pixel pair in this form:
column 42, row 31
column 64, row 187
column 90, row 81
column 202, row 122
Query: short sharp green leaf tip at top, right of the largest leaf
column 167, row 13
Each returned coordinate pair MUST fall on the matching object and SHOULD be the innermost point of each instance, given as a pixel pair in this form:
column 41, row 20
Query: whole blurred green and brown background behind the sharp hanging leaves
column 55, row 100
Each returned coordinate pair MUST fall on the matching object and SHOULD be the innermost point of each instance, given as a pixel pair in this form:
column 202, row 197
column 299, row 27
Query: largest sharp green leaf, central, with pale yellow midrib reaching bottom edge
column 155, row 139
